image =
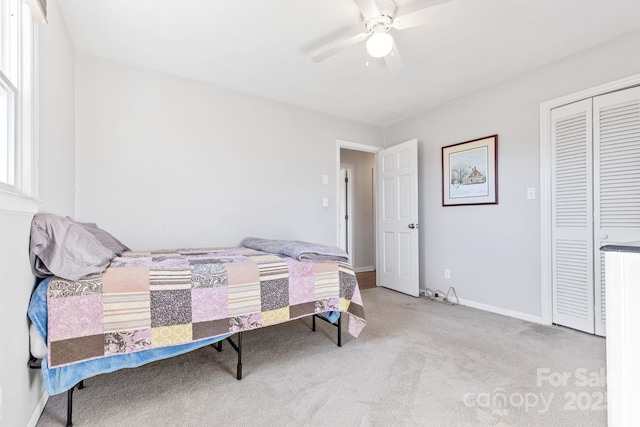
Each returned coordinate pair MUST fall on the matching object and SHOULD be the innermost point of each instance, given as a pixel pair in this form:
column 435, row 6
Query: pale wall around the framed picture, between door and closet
column 493, row 251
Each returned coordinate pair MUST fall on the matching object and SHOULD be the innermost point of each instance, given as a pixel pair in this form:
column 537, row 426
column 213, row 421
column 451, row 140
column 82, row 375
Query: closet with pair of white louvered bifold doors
column 595, row 200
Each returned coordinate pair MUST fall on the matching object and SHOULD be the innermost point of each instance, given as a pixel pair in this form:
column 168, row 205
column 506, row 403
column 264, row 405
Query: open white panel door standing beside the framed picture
column 398, row 246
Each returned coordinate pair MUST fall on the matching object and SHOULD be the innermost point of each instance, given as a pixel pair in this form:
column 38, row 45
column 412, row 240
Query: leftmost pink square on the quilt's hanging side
column 77, row 316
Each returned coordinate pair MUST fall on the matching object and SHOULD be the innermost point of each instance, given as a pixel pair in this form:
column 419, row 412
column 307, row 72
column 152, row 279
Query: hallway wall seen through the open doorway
column 364, row 238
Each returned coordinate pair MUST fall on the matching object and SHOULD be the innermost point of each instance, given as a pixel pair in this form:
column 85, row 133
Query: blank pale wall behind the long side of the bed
column 165, row 162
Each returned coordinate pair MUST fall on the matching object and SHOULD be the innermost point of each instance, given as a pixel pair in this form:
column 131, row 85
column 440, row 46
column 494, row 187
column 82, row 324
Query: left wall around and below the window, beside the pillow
column 22, row 388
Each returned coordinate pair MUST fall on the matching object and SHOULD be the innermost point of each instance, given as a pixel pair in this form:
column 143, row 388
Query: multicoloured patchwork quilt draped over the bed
column 147, row 300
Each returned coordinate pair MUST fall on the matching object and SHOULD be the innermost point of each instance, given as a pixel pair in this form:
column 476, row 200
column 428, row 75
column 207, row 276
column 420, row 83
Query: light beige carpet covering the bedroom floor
column 417, row 362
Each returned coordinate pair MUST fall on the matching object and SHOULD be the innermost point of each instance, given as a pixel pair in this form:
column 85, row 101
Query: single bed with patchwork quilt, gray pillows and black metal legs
column 144, row 306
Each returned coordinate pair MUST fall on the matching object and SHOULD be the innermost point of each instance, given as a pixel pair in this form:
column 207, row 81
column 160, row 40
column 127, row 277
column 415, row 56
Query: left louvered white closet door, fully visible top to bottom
column 572, row 215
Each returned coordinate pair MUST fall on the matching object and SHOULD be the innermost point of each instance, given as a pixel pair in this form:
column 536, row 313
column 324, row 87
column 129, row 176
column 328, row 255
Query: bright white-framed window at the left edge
column 16, row 97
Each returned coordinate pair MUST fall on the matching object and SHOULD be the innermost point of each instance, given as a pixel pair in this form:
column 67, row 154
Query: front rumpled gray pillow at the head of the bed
column 63, row 248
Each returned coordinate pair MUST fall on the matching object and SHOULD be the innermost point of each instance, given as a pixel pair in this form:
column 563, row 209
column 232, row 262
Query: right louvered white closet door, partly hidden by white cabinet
column 617, row 180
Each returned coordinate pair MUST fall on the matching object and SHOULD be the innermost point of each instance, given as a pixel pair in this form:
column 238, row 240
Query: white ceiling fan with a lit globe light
column 379, row 17
